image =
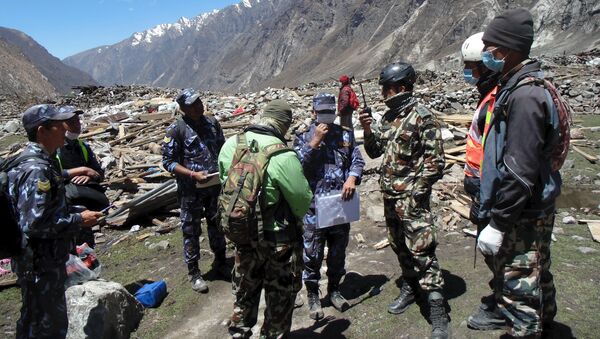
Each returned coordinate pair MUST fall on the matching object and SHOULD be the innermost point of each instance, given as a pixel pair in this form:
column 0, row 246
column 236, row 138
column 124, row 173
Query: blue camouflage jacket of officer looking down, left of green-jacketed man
column 194, row 145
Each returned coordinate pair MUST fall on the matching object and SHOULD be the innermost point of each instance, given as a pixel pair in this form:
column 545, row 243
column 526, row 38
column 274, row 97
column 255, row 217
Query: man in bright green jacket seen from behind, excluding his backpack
column 274, row 263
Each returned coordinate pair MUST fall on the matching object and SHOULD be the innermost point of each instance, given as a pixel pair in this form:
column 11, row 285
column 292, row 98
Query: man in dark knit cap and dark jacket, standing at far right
column 519, row 184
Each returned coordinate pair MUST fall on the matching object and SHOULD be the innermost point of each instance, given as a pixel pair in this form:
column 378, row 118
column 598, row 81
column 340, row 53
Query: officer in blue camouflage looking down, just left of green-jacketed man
column 190, row 151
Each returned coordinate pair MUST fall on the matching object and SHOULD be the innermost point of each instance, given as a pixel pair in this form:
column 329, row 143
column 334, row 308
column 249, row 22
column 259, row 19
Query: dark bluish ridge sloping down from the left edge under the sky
column 61, row 76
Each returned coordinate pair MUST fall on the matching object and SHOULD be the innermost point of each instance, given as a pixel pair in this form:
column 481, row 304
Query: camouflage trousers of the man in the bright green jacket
column 277, row 269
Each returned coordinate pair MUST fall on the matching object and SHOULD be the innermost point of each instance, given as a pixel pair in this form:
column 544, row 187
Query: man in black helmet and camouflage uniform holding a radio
column 409, row 139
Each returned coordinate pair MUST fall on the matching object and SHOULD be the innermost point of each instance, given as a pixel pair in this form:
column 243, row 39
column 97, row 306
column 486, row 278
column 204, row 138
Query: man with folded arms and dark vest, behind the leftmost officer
column 80, row 167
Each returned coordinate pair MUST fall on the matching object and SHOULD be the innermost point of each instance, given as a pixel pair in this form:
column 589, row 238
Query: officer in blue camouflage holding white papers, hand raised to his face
column 331, row 161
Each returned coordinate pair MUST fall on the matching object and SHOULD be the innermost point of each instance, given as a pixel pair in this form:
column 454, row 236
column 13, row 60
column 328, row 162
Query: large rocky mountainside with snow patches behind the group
column 260, row 43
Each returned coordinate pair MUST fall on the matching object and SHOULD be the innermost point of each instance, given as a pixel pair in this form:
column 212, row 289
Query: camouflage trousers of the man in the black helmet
column 412, row 236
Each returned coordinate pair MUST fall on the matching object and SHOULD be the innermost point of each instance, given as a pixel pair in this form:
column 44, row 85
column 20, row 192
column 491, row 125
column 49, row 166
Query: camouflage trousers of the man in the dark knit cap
column 527, row 297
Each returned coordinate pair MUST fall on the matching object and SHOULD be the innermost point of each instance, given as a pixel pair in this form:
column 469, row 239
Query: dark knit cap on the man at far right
column 512, row 29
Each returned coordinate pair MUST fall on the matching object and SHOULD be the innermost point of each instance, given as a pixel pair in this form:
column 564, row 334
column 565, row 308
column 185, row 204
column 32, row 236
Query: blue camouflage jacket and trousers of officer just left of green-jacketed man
column 195, row 145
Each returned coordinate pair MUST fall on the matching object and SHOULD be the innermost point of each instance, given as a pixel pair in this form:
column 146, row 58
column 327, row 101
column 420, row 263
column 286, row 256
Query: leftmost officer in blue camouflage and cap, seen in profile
column 37, row 194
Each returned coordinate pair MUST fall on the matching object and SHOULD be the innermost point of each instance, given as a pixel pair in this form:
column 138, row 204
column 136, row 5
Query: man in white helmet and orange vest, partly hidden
column 487, row 317
